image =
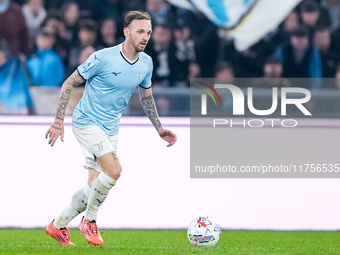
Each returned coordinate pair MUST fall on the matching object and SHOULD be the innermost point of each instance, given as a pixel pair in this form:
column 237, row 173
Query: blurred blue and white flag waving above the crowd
column 247, row 21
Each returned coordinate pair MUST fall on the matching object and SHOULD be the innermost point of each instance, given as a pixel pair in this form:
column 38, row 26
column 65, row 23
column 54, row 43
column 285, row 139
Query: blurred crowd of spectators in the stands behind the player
column 42, row 42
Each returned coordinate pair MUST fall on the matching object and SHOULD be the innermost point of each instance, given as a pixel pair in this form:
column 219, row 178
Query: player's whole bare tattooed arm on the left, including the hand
column 57, row 128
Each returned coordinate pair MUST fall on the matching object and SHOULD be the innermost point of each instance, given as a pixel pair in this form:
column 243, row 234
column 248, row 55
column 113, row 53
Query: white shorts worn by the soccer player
column 94, row 143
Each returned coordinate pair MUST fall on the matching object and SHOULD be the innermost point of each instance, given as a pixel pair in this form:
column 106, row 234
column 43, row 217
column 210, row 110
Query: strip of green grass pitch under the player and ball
column 149, row 242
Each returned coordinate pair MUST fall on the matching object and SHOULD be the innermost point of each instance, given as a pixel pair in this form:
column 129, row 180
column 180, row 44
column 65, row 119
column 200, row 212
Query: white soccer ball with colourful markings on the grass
column 204, row 232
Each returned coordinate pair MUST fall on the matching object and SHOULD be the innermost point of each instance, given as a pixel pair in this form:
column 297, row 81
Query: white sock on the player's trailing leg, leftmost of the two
column 77, row 205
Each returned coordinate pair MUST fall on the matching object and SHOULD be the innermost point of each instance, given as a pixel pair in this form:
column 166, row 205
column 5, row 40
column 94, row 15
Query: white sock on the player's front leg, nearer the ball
column 99, row 191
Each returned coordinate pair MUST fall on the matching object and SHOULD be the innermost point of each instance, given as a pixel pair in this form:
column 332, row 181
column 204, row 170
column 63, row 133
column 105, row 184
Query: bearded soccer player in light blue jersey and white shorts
column 111, row 76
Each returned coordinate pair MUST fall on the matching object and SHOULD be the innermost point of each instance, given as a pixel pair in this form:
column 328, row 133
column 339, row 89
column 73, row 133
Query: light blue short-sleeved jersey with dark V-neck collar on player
column 110, row 81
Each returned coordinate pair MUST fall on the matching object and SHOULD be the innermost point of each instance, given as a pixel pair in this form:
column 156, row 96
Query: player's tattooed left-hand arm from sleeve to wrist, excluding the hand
column 72, row 81
